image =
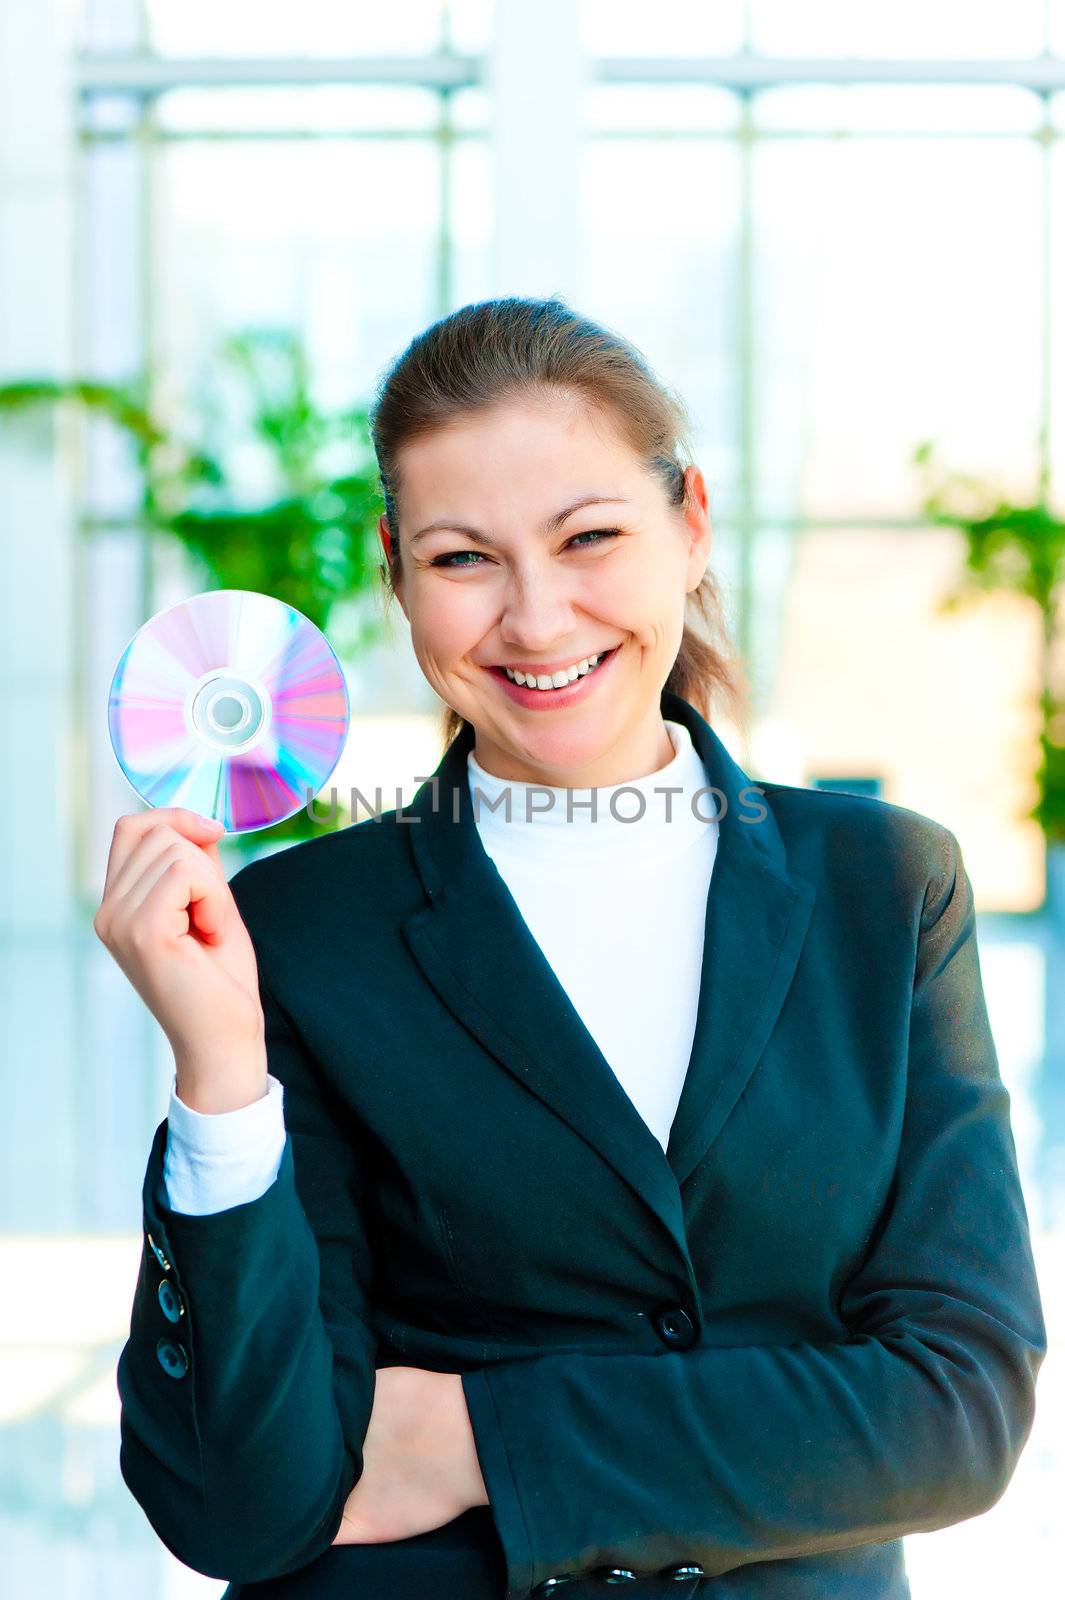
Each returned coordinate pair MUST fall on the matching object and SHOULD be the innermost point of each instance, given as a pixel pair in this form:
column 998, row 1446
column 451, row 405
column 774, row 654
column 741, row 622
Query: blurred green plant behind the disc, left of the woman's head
column 306, row 538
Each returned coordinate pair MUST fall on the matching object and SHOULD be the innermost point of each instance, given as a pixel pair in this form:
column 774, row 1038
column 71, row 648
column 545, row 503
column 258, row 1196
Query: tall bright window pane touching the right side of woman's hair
column 664, row 274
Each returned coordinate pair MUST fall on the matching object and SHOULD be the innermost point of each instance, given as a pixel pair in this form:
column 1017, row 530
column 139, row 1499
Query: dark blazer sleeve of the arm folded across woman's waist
column 724, row 1457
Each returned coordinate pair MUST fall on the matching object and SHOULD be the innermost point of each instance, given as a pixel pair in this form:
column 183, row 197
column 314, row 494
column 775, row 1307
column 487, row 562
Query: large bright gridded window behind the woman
column 834, row 230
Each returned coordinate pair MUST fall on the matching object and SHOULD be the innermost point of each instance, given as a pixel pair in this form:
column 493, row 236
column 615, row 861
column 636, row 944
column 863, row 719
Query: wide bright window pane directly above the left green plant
column 338, row 241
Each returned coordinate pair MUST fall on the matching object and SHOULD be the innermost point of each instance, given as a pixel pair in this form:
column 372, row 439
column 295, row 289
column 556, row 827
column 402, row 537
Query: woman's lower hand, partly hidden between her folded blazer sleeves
column 420, row 1460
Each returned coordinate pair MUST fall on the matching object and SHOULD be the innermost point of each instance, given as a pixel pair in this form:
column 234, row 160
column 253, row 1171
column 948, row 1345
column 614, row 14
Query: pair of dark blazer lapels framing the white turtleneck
column 484, row 962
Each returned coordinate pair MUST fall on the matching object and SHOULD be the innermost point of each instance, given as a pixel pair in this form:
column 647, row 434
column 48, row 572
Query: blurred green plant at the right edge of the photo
column 1019, row 550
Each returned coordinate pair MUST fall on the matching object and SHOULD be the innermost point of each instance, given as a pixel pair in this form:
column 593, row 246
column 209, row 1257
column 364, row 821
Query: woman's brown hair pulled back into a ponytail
column 501, row 350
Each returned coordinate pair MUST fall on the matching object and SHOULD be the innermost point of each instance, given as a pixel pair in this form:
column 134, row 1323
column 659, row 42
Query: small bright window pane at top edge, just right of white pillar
column 671, row 28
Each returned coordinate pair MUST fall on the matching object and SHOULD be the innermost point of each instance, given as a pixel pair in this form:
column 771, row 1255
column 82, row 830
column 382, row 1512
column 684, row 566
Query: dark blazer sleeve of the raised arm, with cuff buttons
column 247, row 1382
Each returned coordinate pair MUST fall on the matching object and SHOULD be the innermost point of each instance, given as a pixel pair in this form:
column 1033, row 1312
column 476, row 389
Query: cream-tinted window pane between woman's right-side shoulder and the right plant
column 872, row 681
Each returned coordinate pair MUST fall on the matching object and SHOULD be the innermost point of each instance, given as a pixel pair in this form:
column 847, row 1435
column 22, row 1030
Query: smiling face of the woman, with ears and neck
column 500, row 570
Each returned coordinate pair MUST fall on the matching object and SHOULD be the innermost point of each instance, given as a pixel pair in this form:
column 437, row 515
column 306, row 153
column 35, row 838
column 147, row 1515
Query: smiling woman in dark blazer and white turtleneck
column 618, row 1188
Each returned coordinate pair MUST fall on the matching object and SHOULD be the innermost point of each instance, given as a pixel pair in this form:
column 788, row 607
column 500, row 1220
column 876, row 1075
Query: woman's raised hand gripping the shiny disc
column 170, row 921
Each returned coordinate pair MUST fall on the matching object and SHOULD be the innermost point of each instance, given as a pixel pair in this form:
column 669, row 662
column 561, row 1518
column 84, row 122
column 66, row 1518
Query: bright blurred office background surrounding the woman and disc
column 837, row 230
